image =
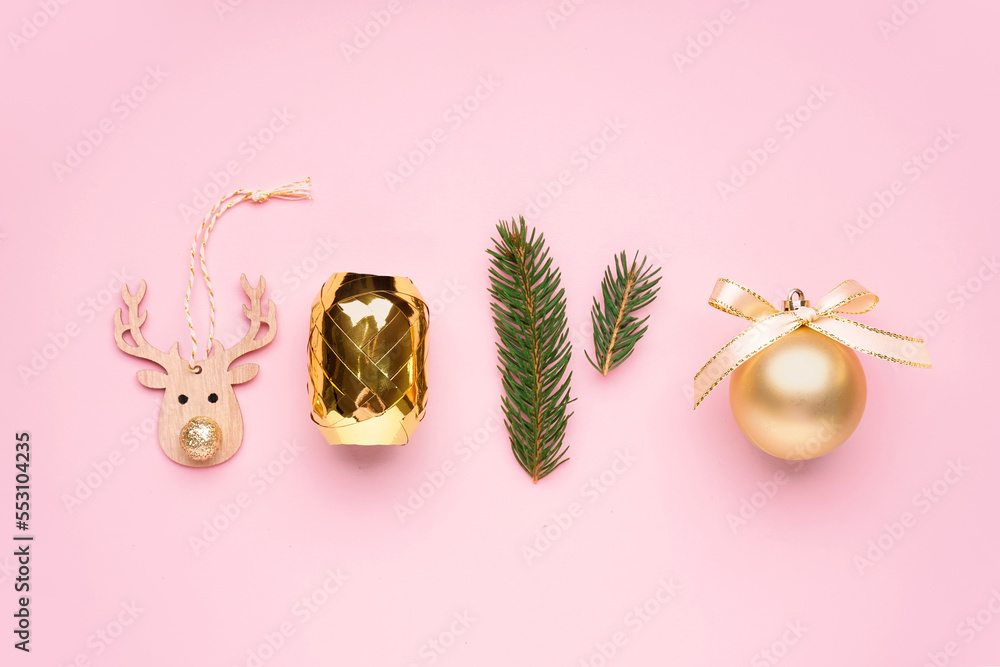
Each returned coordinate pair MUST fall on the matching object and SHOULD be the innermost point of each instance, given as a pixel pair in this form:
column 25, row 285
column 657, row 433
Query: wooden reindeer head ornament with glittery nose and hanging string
column 200, row 421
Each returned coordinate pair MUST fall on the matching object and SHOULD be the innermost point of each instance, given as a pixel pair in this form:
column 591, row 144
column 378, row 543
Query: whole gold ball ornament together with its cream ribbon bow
column 798, row 389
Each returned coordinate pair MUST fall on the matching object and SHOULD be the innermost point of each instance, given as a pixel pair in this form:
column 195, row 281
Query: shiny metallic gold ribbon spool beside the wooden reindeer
column 367, row 359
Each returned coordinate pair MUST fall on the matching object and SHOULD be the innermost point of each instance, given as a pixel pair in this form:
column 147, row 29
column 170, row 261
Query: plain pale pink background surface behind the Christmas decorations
column 675, row 132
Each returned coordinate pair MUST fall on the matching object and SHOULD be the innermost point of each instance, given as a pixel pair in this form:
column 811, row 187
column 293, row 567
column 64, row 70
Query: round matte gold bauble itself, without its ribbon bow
column 801, row 397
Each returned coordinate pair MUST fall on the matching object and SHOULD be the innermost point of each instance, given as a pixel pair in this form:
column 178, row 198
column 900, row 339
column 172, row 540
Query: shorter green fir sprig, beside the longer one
column 616, row 328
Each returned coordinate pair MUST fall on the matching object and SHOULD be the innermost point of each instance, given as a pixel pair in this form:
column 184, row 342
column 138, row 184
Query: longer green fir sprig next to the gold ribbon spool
column 529, row 312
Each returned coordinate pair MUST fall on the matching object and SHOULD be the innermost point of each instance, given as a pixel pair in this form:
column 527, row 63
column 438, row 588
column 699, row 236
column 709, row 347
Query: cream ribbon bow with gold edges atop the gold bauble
column 770, row 324
